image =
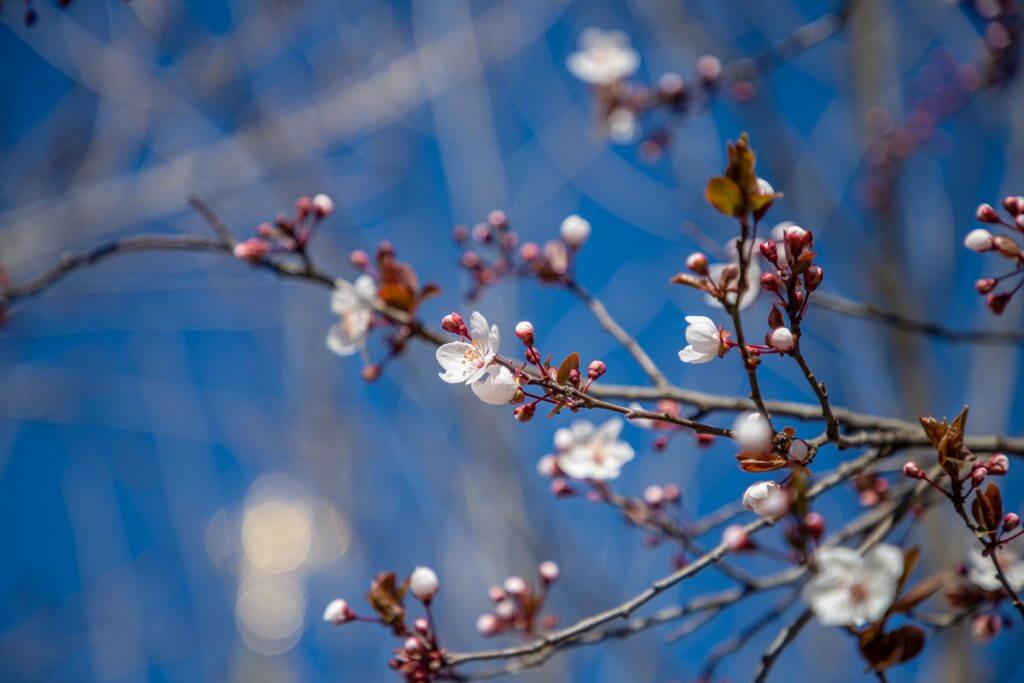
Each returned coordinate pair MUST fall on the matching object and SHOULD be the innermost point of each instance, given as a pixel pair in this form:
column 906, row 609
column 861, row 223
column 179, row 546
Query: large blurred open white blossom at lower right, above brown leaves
column 850, row 589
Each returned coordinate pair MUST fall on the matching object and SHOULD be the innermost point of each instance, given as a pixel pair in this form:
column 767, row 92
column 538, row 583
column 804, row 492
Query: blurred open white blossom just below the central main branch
column 595, row 453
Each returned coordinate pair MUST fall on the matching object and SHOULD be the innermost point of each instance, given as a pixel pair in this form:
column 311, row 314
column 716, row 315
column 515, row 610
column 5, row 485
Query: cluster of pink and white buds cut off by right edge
column 983, row 240
